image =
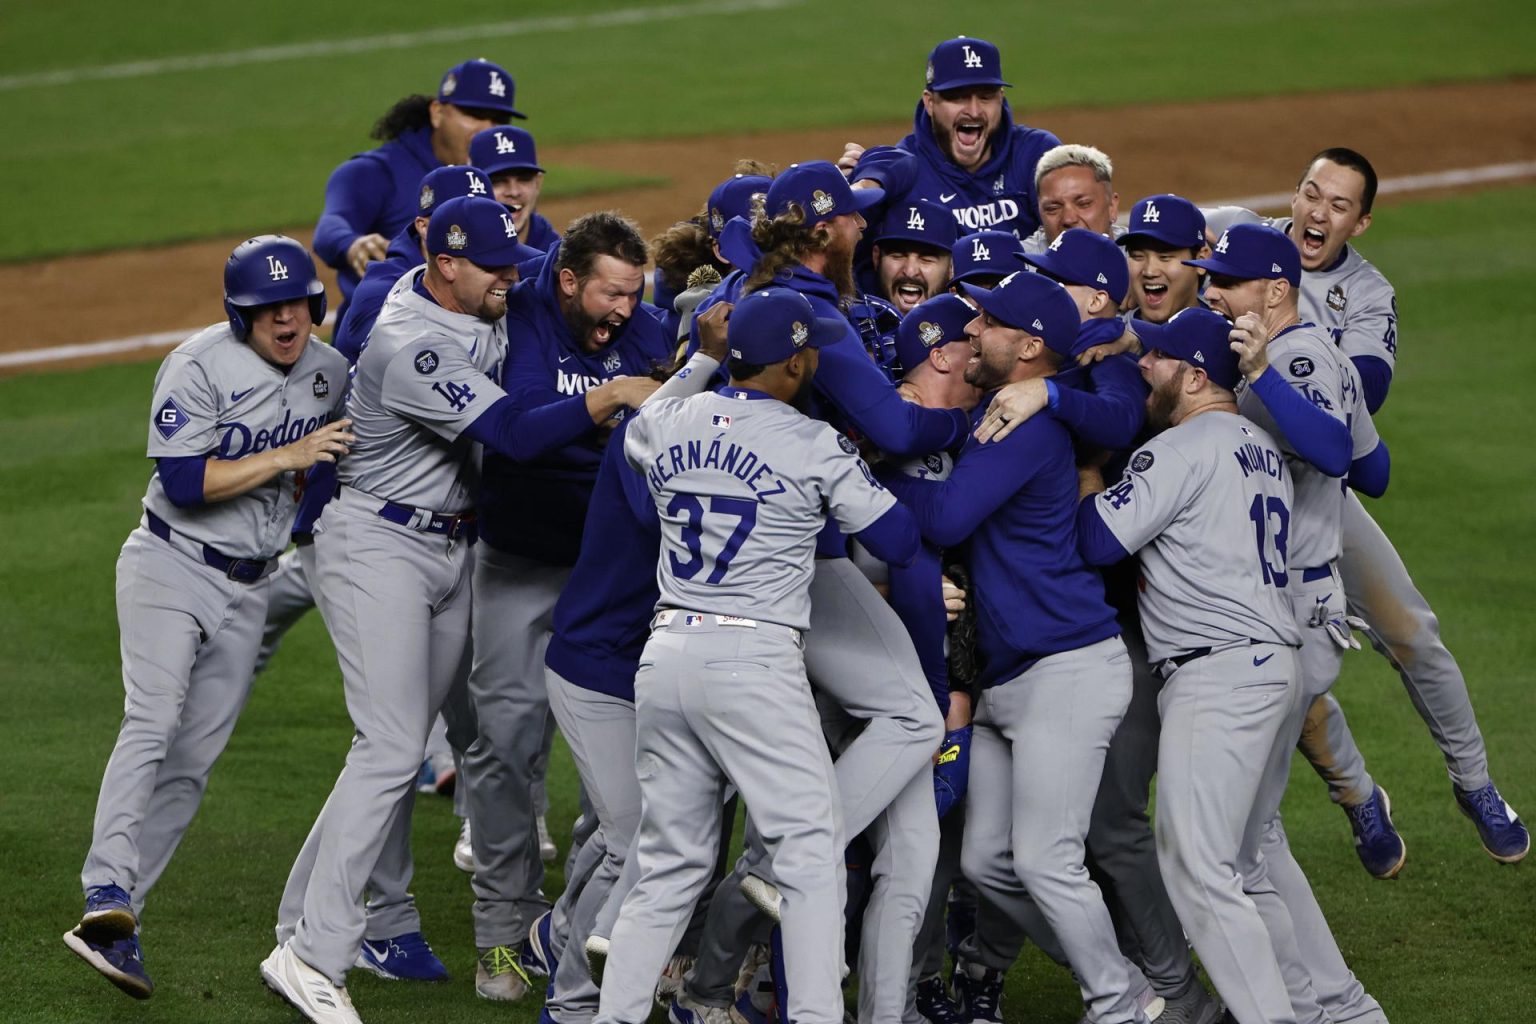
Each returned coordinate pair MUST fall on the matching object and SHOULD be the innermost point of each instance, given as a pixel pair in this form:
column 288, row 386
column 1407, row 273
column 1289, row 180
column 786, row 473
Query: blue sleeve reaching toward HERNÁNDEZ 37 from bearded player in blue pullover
column 985, row 477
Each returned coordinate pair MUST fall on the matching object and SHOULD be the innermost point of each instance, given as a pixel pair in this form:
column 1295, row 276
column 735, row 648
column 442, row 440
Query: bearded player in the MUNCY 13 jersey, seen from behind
column 1207, row 506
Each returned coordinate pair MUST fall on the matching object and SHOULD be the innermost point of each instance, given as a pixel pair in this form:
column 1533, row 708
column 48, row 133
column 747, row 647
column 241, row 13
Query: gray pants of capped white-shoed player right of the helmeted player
column 399, row 610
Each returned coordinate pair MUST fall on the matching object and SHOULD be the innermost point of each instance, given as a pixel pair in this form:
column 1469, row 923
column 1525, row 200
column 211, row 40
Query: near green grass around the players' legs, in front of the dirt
column 1449, row 942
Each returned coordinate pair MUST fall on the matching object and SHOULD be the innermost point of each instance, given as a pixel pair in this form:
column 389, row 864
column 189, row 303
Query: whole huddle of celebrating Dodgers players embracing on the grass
column 925, row 514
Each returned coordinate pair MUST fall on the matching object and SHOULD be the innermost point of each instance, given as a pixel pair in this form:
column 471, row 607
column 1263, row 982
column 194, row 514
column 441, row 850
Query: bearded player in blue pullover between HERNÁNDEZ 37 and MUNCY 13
column 1058, row 678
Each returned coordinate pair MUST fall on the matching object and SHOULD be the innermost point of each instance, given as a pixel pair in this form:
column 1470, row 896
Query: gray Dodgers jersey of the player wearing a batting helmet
column 214, row 395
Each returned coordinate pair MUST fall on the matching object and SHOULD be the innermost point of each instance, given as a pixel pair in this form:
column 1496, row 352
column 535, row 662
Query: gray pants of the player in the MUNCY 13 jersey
column 1223, row 722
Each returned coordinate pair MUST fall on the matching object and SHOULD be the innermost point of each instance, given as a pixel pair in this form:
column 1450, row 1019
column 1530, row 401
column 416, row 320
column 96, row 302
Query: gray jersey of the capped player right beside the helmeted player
column 423, row 378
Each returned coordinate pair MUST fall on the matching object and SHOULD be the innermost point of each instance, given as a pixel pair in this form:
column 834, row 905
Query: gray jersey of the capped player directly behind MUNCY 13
column 1305, row 358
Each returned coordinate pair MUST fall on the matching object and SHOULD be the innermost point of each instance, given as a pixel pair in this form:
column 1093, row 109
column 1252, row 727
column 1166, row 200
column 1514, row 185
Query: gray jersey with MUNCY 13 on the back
column 1176, row 507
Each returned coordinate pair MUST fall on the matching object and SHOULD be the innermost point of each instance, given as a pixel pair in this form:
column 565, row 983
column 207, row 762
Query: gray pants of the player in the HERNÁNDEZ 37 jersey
column 713, row 705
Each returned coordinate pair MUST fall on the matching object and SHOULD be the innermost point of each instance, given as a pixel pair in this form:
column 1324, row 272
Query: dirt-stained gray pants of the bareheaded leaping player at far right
column 1405, row 630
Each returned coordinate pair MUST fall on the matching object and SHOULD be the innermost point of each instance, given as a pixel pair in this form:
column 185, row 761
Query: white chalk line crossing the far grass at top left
column 394, row 41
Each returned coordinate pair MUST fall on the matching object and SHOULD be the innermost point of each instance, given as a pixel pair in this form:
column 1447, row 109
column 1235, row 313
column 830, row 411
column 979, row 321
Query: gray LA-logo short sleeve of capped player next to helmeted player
column 434, row 383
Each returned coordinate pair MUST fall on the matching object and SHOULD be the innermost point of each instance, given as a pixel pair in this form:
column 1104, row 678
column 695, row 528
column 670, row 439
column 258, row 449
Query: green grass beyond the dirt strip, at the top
column 185, row 154
